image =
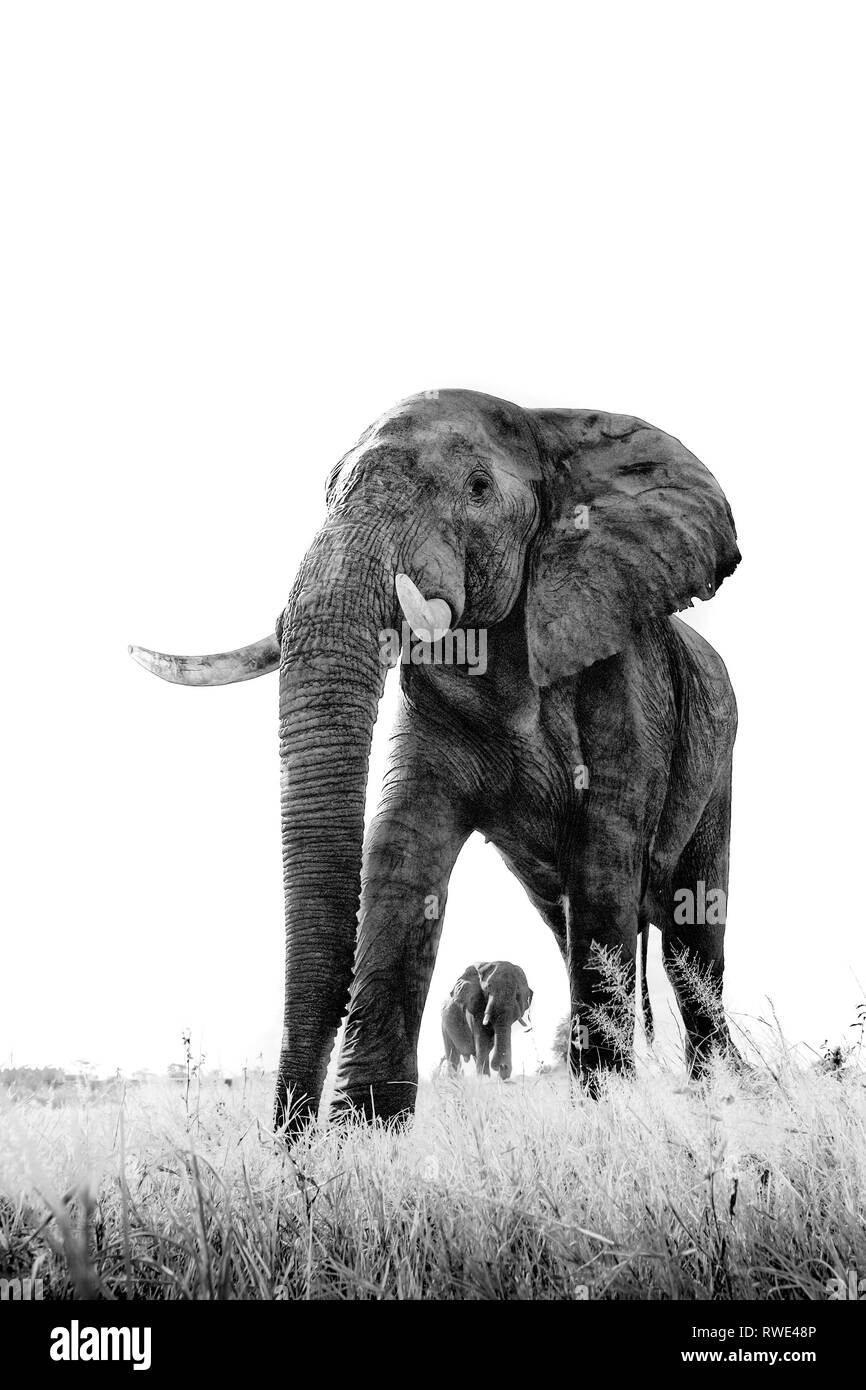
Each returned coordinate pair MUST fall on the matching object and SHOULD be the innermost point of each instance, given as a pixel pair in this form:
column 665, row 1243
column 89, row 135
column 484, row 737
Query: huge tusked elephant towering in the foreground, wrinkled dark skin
column 593, row 747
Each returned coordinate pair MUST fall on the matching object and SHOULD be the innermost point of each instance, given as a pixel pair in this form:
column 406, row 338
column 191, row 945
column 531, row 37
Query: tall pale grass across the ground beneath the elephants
column 742, row 1188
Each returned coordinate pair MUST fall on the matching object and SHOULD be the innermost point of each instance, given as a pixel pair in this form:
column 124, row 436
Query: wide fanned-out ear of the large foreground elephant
column 636, row 529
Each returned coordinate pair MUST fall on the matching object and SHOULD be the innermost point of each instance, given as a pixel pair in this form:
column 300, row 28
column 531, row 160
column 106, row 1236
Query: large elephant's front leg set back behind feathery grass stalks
column 603, row 929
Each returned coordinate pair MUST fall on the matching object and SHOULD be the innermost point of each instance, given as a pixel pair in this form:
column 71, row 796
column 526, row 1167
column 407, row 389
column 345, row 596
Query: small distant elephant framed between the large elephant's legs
column 477, row 1018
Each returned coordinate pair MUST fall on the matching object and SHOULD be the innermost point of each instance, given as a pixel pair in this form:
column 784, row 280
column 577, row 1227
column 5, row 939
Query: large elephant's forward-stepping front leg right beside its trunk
column 409, row 857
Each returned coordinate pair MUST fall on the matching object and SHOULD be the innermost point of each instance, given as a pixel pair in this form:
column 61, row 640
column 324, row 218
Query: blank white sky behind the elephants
column 233, row 236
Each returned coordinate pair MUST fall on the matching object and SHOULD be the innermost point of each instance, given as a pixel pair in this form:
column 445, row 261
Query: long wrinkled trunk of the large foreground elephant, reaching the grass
column 332, row 679
